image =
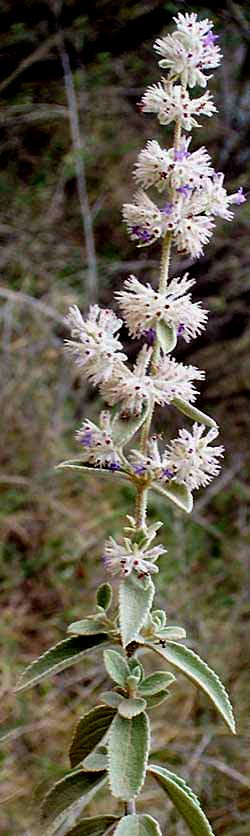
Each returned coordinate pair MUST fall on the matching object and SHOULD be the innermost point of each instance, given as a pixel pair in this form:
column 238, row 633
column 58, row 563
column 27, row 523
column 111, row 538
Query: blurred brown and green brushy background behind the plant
column 71, row 75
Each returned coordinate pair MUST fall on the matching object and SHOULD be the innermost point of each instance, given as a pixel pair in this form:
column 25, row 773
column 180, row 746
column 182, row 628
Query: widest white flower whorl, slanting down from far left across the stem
column 118, row 384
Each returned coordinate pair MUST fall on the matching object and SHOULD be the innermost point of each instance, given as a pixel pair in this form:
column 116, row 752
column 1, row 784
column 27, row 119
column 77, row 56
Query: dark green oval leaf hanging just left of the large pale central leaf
column 90, row 730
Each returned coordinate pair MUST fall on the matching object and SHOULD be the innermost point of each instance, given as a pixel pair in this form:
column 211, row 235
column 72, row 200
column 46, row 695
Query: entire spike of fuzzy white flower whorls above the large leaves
column 191, row 195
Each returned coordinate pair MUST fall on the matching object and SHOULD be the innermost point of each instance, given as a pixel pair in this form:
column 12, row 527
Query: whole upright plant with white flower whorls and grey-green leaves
column 112, row 741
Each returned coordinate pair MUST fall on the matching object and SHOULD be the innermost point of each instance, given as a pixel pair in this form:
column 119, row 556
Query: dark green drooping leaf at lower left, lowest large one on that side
column 67, row 791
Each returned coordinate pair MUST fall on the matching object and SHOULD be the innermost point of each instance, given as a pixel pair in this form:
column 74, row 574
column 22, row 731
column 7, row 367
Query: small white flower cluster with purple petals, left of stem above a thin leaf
column 97, row 443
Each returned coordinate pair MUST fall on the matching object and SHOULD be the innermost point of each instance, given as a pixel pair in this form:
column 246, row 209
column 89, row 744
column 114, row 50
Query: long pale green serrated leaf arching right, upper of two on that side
column 198, row 671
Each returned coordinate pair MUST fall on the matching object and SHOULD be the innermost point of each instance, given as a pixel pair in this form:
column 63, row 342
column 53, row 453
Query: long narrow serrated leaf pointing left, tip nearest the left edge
column 59, row 657
